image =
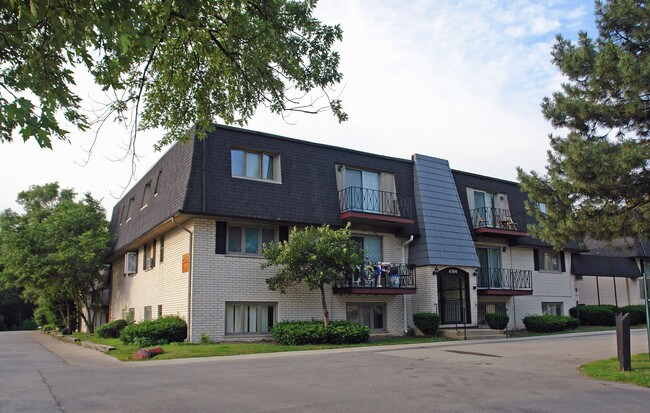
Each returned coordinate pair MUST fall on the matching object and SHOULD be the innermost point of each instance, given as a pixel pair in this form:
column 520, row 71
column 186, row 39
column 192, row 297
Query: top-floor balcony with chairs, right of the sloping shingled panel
column 499, row 222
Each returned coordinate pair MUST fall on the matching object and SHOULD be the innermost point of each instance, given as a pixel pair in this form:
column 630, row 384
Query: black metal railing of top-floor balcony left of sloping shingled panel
column 375, row 202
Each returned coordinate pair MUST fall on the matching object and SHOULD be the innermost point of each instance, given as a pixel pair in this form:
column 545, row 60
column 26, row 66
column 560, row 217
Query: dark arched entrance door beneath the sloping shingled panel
column 453, row 292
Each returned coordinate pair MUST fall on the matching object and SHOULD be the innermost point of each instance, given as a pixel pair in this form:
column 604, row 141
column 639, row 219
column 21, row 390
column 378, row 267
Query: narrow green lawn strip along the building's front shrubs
column 182, row 350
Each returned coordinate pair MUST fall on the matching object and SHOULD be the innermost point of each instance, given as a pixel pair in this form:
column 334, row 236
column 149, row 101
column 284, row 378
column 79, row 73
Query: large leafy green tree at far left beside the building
column 55, row 250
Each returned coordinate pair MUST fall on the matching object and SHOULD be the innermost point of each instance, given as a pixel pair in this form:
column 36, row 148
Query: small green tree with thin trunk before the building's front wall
column 317, row 256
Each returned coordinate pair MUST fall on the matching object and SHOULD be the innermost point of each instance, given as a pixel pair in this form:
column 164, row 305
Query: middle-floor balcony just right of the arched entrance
column 504, row 281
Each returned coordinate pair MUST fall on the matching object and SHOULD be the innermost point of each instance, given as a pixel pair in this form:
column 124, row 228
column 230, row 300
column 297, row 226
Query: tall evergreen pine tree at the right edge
column 597, row 181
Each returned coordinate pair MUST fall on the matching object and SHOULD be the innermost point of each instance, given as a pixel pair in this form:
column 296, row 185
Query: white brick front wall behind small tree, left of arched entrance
column 219, row 278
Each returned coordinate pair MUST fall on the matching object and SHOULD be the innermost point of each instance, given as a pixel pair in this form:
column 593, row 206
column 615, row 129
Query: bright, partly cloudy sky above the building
column 458, row 80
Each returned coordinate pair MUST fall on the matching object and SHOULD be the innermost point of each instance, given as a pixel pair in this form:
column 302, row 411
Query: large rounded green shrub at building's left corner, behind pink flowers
column 163, row 330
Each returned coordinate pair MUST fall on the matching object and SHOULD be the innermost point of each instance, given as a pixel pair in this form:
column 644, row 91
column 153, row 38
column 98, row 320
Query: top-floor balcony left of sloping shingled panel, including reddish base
column 368, row 206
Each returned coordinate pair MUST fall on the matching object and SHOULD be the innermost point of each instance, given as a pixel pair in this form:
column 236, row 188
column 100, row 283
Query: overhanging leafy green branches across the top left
column 172, row 63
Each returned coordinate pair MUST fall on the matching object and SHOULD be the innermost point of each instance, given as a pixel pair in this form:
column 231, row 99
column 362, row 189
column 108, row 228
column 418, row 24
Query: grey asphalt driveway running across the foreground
column 41, row 374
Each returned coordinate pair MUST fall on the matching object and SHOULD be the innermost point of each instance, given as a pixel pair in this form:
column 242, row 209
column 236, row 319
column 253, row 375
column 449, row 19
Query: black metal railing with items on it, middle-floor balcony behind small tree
column 381, row 275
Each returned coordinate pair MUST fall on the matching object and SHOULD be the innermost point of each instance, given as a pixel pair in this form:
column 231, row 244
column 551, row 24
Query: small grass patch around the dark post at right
column 609, row 370
